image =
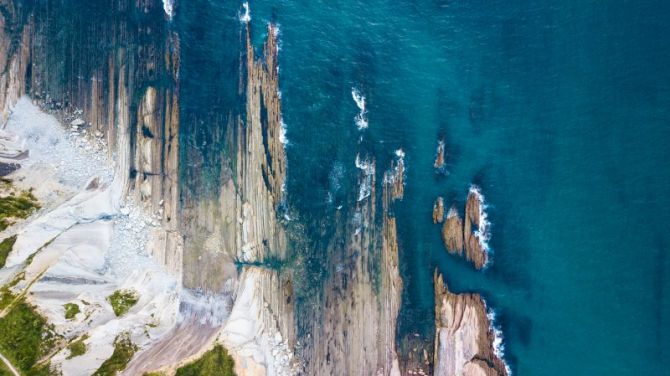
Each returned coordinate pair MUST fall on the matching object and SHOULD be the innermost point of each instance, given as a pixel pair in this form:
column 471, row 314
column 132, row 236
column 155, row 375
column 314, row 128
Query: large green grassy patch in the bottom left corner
column 25, row 338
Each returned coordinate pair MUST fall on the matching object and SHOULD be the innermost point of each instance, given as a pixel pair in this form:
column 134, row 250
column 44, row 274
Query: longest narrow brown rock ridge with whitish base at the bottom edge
column 260, row 330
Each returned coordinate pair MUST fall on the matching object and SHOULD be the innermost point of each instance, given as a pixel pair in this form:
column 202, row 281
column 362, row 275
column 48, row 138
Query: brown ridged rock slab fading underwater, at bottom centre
column 356, row 329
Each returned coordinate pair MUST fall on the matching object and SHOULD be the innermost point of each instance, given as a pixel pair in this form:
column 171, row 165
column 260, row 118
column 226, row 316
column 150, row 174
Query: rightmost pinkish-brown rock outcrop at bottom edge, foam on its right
column 465, row 340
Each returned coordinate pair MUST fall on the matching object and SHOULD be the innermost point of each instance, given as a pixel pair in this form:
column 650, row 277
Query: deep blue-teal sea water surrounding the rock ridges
column 558, row 110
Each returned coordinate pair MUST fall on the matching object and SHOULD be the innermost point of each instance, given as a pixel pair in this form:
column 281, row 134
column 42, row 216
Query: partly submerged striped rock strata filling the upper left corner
column 126, row 95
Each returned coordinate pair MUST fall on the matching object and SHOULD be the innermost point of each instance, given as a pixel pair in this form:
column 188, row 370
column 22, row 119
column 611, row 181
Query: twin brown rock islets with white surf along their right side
column 469, row 236
